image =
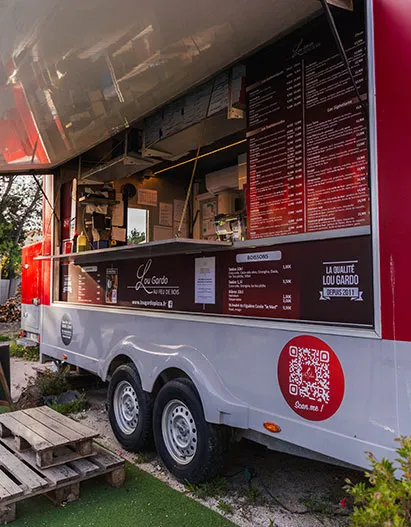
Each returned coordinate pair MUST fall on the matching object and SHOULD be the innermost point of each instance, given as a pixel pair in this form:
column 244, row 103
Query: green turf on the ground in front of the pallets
column 143, row 501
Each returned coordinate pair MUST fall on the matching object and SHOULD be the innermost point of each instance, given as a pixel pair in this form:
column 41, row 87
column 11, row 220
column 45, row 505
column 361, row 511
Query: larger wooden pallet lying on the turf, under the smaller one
column 20, row 478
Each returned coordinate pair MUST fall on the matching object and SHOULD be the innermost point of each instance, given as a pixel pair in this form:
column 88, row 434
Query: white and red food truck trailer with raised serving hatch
column 228, row 198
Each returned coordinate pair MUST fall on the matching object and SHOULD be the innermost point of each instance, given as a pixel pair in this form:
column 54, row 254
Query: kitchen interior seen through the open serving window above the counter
column 176, row 174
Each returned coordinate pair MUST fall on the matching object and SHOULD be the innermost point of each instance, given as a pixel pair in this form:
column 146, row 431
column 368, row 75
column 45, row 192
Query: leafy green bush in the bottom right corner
column 384, row 501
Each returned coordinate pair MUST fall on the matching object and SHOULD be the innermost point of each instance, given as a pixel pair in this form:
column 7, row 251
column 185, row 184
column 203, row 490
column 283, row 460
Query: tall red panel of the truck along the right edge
column 392, row 27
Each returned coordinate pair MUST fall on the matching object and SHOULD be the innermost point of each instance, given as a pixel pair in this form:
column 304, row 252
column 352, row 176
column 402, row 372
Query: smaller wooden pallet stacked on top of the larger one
column 54, row 438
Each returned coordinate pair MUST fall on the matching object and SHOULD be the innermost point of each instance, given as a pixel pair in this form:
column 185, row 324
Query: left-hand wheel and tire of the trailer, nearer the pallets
column 130, row 409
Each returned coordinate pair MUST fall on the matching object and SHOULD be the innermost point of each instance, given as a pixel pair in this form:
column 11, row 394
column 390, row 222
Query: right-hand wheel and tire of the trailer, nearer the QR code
column 190, row 448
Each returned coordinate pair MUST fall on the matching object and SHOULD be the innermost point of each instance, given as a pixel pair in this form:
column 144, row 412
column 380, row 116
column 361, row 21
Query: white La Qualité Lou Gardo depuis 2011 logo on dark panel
column 341, row 280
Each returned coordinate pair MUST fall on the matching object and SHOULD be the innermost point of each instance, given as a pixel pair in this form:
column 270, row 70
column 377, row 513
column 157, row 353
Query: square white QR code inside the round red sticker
column 310, row 373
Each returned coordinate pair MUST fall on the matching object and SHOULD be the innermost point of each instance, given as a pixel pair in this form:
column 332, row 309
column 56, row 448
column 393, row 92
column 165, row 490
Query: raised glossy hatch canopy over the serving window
column 74, row 73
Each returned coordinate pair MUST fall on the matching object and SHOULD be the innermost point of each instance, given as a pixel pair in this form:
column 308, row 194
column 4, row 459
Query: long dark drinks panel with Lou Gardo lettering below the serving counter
column 320, row 281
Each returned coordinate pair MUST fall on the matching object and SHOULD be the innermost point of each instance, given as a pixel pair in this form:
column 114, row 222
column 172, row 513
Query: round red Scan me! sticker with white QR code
column 311, row 378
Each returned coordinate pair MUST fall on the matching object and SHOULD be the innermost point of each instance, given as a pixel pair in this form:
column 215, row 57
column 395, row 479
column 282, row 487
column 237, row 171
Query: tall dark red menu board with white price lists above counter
column 307, row 139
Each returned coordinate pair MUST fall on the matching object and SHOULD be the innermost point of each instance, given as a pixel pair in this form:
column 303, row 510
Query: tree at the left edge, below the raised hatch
column 20, row 214
